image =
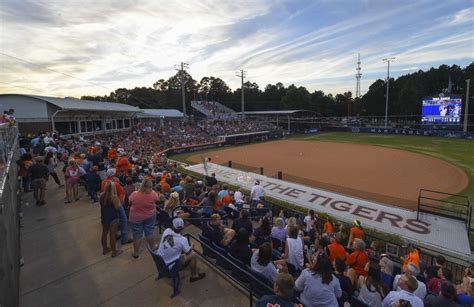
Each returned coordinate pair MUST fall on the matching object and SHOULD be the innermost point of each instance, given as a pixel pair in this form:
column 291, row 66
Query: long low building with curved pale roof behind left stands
column 69, row 116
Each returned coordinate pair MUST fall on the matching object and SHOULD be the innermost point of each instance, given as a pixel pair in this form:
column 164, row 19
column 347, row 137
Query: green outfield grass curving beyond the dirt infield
column 456, row 151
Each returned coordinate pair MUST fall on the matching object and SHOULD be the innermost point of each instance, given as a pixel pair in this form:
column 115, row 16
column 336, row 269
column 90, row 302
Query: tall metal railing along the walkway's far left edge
column 9, row 218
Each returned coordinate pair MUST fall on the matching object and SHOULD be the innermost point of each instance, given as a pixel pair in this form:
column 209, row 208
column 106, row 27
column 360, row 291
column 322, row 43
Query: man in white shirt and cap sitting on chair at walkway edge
column 172, row 247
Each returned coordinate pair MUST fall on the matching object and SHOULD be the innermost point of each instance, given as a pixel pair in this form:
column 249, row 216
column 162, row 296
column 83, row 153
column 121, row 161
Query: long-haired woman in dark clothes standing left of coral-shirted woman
column 109, row 203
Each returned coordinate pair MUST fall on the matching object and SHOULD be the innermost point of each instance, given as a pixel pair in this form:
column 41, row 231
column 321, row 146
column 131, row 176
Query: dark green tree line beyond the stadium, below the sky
column 406, row 93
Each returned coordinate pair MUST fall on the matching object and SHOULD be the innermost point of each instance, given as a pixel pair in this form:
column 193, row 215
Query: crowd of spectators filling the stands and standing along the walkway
column 320, row 264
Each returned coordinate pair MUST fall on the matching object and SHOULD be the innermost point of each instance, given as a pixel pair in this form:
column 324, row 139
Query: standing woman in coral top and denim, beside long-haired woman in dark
column 143, row 215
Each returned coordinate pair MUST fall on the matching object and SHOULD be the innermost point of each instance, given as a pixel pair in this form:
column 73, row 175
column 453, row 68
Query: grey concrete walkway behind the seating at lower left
column 64, row 265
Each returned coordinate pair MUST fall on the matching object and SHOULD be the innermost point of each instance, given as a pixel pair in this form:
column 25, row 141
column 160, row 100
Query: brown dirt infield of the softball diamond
column 386, row 175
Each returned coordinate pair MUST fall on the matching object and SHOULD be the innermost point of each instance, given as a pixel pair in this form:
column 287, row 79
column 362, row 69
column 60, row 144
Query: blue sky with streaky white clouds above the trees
column 92, row 47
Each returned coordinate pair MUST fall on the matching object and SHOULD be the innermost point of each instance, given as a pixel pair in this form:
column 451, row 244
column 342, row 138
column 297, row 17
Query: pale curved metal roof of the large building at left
column 87, row 105
